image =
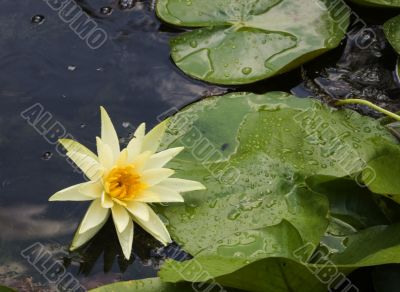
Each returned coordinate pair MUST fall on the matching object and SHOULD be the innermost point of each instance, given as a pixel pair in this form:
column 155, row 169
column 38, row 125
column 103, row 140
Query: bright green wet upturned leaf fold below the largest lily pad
column 238, row 251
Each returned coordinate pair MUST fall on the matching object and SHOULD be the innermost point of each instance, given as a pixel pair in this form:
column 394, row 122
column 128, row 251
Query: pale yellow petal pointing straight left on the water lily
column 81, row 192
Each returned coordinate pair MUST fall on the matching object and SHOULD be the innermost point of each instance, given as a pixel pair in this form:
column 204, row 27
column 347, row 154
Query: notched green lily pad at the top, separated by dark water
column 240, row 42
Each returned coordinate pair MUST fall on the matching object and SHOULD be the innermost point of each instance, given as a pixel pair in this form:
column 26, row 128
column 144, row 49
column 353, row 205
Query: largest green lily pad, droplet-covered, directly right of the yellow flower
column 254, row 154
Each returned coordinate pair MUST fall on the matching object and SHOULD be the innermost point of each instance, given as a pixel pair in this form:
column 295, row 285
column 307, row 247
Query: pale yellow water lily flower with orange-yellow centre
column 123, row 183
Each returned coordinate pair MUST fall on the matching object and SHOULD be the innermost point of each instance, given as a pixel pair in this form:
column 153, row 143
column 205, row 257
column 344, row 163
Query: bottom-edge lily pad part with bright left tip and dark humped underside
column 268, row 275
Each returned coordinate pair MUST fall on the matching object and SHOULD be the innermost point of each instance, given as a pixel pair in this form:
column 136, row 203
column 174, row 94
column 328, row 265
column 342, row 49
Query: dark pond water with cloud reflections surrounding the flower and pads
column 43, row 61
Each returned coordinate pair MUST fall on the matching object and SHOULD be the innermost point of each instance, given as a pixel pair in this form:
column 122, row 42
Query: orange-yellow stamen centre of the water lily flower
column 123, row 183
